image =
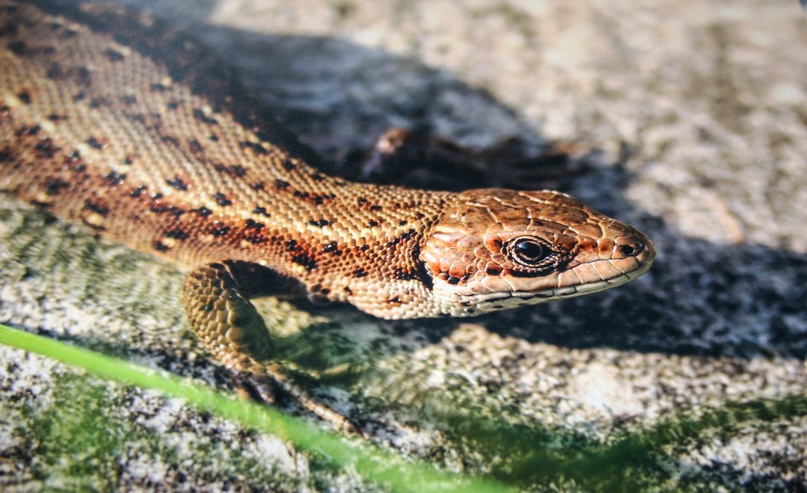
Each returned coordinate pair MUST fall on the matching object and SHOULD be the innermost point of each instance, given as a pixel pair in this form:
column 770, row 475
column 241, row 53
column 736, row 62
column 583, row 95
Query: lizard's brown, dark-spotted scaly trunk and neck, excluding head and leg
column 110, row 119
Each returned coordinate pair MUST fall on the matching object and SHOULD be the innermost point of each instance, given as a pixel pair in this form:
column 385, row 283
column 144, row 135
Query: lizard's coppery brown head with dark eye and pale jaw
column 495, row 249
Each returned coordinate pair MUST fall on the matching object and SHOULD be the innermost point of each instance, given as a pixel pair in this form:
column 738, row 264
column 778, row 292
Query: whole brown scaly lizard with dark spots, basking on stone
column 110, row 120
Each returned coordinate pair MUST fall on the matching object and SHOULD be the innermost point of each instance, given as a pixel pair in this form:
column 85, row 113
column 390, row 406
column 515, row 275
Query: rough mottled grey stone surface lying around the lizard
column 696, row 118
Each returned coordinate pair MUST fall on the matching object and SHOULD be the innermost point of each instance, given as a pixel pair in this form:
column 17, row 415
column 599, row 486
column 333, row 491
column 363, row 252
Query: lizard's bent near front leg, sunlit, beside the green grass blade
column 216, row 299
